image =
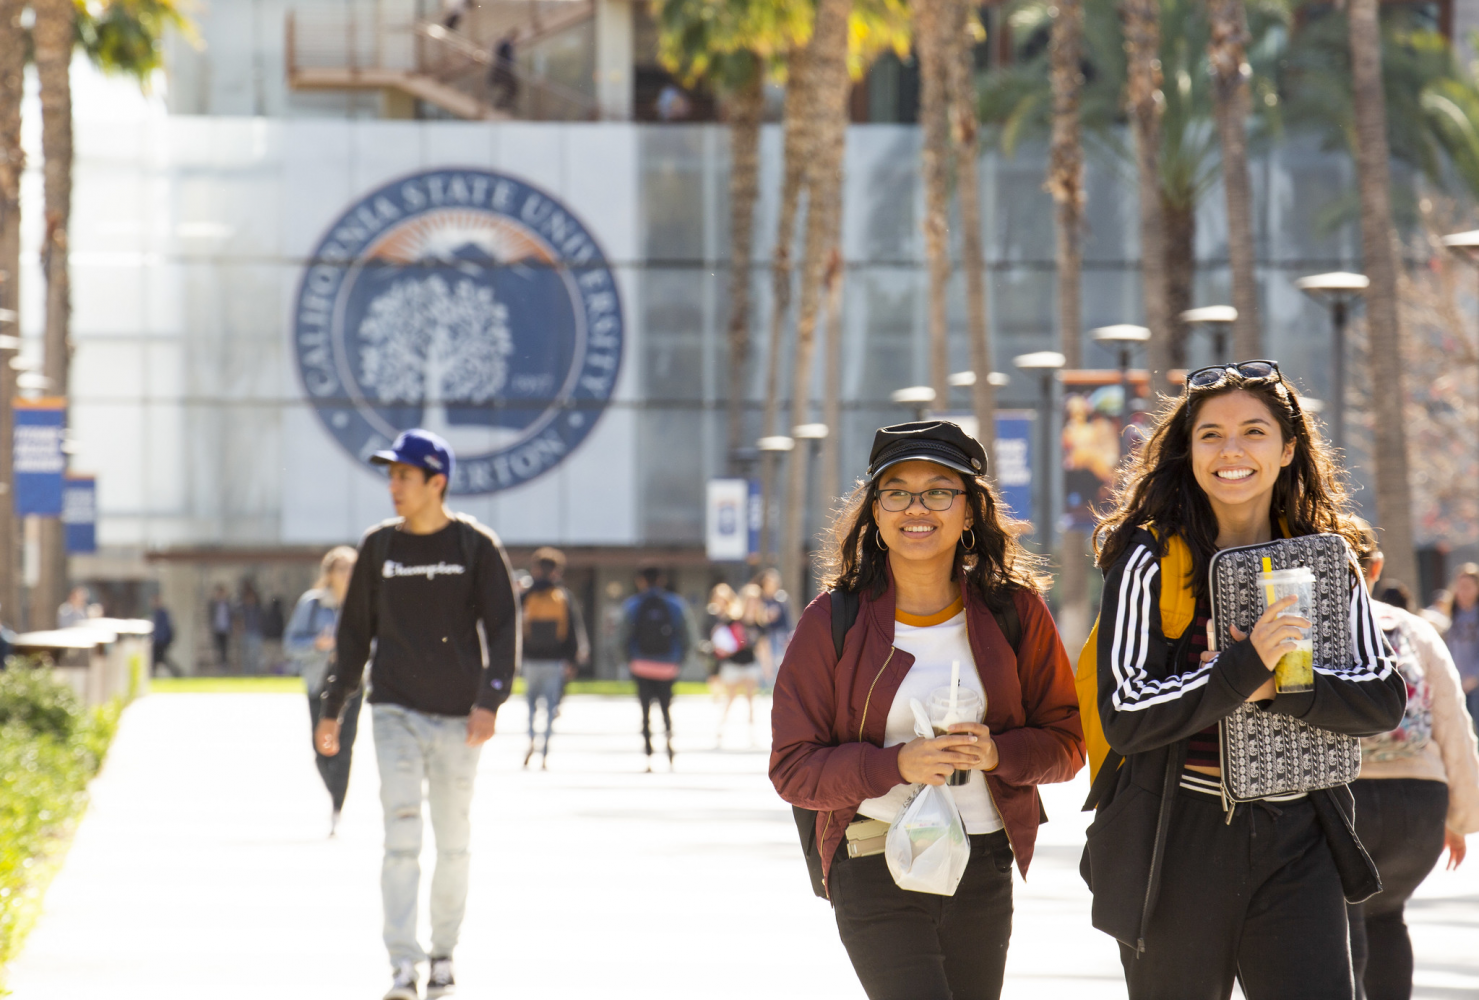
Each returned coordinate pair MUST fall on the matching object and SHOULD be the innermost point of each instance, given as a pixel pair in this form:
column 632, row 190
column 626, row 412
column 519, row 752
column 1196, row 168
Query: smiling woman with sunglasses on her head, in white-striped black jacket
column 1200, row 894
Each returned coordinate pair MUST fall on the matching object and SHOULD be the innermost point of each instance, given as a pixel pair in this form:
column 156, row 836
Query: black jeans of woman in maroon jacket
column 919, row 946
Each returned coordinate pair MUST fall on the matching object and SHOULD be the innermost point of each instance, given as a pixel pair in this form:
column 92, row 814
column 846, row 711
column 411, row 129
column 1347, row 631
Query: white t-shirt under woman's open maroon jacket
column 934, row 649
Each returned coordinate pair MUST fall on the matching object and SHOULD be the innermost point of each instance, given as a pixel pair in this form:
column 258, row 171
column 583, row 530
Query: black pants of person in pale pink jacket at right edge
column 1401, row 825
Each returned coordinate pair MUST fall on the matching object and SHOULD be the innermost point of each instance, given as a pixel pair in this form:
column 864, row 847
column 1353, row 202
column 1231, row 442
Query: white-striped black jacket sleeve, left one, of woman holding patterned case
column 1132, row 640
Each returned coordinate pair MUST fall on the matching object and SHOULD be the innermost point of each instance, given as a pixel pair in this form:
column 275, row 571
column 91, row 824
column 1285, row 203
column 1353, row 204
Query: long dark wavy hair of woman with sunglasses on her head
column 1159, row 490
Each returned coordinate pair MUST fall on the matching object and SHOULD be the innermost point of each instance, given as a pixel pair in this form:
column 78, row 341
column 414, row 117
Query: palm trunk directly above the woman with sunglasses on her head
column 1230, row 72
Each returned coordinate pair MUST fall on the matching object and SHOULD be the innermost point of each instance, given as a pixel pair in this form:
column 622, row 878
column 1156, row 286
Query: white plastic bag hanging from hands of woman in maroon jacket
column 928, row 848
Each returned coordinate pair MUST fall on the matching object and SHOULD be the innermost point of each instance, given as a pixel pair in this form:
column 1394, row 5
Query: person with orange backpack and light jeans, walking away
column 554, row 643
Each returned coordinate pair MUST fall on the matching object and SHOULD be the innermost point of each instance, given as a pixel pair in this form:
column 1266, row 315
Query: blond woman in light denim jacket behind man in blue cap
column 310, row 644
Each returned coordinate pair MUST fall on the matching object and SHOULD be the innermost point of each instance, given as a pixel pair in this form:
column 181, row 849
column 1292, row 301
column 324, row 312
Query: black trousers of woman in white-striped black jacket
column 1255, row 900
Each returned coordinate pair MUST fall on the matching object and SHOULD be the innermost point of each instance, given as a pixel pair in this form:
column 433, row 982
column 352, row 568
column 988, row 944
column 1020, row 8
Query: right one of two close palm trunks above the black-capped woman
column 962, row 69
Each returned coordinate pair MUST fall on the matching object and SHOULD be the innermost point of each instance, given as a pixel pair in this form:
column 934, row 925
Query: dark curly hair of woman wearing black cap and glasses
column 995, row 567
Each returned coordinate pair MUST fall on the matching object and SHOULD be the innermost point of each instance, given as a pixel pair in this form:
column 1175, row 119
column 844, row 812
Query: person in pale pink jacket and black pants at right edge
column 1418, row 794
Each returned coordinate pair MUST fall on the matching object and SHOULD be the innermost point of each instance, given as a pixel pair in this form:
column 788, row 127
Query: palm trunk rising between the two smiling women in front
column 1066, row 183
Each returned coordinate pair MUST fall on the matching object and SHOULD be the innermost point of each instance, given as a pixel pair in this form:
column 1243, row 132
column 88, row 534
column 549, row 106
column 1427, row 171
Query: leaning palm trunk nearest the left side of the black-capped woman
column 829, row 76
